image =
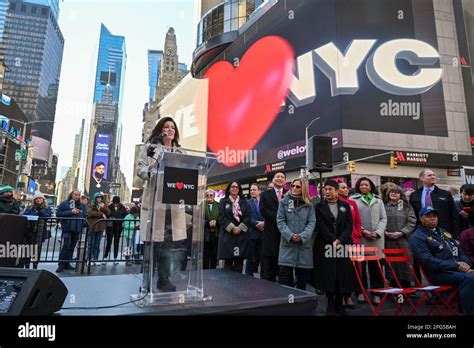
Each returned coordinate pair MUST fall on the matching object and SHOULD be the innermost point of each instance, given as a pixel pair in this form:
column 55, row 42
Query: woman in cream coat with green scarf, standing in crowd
column 374, row 221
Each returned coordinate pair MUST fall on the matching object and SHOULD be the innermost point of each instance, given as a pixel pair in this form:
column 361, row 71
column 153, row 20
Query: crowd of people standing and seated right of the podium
column 285, row 235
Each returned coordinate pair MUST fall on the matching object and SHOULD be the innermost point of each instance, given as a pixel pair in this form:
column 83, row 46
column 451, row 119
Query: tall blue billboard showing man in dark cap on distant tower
column 100, row 164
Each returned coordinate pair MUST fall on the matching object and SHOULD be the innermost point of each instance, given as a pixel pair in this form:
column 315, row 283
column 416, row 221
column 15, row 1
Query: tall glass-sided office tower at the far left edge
column 32, row 49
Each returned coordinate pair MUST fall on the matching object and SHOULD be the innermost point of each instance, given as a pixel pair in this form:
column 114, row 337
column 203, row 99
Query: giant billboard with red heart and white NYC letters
column 380, row 76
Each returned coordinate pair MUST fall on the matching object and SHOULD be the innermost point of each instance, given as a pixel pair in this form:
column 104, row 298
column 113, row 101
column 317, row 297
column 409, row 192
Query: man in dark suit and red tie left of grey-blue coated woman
column 269, row 201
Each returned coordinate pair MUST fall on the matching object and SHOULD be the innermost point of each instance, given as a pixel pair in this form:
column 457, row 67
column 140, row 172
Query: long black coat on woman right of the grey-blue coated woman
column 327, row 268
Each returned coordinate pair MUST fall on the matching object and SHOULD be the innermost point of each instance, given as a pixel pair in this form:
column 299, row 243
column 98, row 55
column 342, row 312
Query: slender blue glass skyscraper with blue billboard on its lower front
column 106, row 126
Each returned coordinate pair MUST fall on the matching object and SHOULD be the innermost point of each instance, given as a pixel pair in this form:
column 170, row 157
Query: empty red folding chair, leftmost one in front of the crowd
column 362, row 253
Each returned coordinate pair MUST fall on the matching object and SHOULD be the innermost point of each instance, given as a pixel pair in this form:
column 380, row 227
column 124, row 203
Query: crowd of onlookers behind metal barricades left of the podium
column 75, row 215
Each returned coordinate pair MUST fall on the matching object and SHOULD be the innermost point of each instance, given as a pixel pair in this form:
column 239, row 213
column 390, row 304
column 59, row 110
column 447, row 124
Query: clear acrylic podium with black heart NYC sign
column 174, row 238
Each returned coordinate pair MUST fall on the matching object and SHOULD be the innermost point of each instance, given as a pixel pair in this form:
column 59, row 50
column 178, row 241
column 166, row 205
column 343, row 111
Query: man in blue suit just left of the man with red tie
column 256, row 233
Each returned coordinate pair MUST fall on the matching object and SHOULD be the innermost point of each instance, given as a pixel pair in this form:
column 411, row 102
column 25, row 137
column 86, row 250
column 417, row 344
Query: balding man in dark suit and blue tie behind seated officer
column 431, row 195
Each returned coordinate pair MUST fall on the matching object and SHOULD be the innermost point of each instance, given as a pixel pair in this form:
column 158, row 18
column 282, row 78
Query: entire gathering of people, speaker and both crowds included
column 284, row 235
